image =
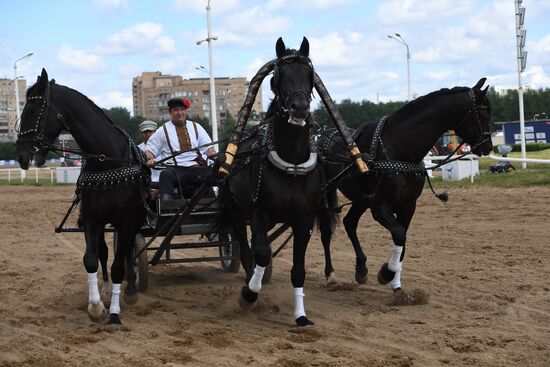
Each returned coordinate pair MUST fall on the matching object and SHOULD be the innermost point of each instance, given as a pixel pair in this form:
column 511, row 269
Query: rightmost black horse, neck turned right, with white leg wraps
column 397, row 144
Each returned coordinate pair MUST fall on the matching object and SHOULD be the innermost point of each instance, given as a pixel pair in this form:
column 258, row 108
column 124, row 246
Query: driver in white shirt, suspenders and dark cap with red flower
column 180, row 135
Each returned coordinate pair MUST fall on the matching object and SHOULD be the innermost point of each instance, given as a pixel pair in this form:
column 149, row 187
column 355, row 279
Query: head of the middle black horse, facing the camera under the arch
column 292, row 81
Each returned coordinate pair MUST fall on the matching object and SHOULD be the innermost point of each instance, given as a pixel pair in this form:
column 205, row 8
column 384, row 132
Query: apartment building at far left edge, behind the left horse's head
column 8, row 111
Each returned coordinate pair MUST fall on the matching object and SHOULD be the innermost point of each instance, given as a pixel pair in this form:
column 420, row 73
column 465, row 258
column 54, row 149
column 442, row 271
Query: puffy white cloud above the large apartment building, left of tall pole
column 140, row 38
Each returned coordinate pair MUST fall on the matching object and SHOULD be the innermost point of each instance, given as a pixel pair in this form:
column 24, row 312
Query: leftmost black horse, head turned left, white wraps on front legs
column 112, row 185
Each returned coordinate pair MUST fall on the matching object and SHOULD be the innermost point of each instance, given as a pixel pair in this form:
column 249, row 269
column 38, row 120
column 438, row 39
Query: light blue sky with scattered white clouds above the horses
column 98, row 46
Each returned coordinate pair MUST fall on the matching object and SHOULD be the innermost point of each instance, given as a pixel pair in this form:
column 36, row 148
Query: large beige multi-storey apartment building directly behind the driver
column 152, row 90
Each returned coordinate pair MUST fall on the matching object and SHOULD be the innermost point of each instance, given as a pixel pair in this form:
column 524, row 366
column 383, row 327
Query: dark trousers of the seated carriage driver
column 185, row 179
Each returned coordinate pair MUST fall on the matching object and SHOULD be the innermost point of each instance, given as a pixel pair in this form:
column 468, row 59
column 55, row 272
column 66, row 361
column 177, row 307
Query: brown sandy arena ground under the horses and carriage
column 483, row 259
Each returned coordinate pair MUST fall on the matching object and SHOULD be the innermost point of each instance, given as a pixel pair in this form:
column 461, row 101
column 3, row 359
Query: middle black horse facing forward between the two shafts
column 275, row 178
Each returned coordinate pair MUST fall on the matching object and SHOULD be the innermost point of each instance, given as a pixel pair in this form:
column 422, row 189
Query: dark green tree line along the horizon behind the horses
column 504, row 107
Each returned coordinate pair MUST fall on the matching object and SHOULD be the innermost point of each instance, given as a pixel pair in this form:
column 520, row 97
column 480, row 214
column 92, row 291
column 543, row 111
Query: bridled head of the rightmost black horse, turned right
column 477, row 133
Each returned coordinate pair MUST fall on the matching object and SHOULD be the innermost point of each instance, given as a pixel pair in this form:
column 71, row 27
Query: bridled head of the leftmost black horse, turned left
column 39, row 125
